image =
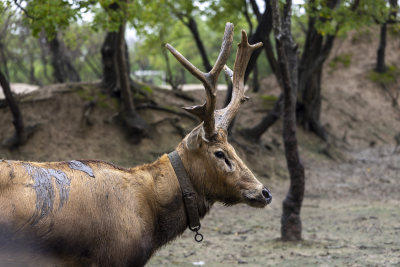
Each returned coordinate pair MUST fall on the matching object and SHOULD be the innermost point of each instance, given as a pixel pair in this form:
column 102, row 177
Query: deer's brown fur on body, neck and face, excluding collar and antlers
column 119, row 217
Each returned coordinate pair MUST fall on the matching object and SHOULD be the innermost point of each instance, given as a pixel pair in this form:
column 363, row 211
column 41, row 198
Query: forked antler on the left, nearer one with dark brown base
column 206, row 111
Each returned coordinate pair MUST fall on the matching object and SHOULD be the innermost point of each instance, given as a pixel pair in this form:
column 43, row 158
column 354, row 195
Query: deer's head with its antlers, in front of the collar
column 218, row 171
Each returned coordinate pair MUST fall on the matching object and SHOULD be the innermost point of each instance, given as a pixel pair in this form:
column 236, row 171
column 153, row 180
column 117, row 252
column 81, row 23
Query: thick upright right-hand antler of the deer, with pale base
column 224, row 116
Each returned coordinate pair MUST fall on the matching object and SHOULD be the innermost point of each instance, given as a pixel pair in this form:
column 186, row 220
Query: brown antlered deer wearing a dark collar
column 118, row 216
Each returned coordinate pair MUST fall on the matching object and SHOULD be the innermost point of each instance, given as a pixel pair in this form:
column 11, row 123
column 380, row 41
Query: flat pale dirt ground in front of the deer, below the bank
column 350, row 216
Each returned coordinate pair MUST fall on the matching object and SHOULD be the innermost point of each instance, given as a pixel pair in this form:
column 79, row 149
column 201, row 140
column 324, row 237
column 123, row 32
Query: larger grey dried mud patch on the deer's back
column 45, row 192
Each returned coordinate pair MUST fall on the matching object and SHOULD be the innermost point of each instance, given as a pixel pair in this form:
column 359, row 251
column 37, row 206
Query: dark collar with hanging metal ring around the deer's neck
column 188, row 194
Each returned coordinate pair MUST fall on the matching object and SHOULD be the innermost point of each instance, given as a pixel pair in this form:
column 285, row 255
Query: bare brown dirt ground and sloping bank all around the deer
column 351, row 210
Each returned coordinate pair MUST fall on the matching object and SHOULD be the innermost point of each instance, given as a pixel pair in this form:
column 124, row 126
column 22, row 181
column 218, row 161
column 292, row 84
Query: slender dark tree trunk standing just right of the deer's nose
column 291, row 226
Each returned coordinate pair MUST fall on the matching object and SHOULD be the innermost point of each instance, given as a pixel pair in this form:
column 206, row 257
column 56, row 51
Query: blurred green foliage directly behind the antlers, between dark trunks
column 155, row 27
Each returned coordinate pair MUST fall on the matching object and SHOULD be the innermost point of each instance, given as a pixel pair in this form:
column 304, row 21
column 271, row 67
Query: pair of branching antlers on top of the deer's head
column 206, row 112
